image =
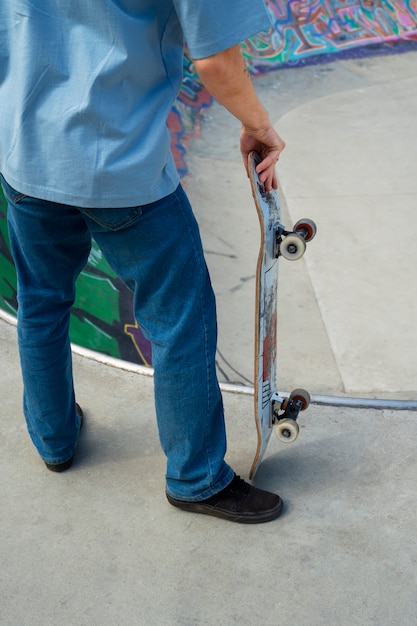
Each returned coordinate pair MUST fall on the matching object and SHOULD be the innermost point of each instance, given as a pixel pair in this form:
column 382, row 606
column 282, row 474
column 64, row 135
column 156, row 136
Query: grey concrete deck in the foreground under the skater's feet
column 99, row 545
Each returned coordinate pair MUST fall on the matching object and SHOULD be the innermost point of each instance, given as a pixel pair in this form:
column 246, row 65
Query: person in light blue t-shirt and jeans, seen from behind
column 85, row 91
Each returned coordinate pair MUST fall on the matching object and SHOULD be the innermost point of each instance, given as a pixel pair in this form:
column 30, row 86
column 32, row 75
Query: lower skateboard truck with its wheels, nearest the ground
column 284, row 413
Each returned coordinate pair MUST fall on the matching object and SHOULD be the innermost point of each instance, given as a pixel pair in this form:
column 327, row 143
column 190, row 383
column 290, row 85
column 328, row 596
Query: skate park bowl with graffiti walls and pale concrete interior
column 346, row 310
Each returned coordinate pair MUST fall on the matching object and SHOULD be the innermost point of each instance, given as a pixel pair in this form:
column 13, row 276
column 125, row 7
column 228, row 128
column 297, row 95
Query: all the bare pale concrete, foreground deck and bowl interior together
column 100, row 545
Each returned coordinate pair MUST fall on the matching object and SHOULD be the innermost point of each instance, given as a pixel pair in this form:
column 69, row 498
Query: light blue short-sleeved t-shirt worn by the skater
column 86, row 87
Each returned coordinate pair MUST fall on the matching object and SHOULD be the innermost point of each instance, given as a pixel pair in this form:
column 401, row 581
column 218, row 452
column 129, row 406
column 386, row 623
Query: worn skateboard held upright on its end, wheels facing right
column 272, row 410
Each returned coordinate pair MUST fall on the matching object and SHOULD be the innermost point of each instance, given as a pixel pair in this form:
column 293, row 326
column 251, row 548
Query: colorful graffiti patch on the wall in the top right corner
column 305, row 28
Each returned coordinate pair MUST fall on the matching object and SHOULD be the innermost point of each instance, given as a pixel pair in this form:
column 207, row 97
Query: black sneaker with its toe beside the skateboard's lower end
column 238, row 502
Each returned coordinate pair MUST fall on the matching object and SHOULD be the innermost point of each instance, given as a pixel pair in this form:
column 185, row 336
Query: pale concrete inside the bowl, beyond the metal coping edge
column 348, row 308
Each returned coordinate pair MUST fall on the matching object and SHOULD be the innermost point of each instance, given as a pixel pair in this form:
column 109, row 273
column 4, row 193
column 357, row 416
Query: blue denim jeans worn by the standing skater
column 156, row 250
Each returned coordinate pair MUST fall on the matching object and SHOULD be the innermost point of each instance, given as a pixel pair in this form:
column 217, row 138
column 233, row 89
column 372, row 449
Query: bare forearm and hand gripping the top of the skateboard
column 227, row 79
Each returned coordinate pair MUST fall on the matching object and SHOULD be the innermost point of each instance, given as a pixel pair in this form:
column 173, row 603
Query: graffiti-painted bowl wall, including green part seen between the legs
column 302, row 31
